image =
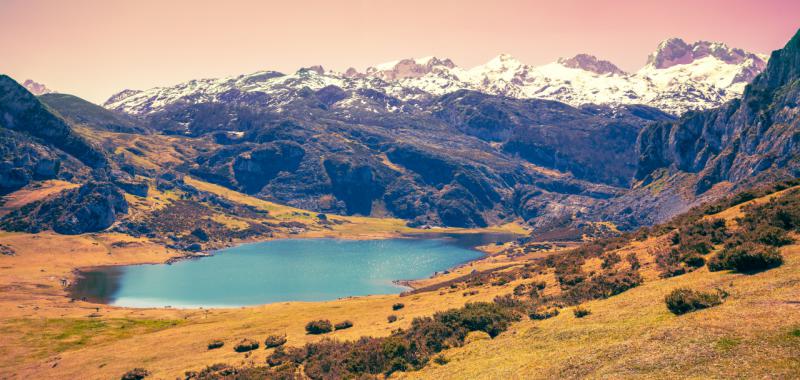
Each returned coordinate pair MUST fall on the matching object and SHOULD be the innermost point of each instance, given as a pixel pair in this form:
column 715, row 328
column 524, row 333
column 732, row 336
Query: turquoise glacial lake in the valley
column 280, row 271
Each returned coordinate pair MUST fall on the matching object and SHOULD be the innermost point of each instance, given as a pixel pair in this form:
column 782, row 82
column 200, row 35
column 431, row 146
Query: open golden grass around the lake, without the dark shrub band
column 754, row 334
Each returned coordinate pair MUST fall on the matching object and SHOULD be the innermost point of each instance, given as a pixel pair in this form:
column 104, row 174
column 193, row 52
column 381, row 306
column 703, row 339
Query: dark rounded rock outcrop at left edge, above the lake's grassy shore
column 92, row 207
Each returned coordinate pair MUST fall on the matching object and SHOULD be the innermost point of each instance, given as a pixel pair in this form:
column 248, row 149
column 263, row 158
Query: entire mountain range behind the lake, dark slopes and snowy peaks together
column 435, row 144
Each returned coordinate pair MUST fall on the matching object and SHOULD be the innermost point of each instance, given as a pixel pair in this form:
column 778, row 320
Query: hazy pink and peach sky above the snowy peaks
column 95, row 48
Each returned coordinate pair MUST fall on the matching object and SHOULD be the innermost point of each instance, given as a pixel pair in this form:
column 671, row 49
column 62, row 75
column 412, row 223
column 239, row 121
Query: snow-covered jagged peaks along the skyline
column 678, row 77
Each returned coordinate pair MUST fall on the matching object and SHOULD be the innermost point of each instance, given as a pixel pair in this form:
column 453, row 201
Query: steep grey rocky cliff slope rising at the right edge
column 747, row 140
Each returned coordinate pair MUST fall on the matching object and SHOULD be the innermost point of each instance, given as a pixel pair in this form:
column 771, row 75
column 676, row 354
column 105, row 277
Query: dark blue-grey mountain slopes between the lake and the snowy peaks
column 463, row 159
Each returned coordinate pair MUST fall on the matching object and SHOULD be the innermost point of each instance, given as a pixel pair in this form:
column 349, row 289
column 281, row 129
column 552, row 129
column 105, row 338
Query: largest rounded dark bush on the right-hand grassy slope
column 747, row 258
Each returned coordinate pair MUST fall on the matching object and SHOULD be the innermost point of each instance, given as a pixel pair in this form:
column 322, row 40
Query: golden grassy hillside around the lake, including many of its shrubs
column 629, row 332
